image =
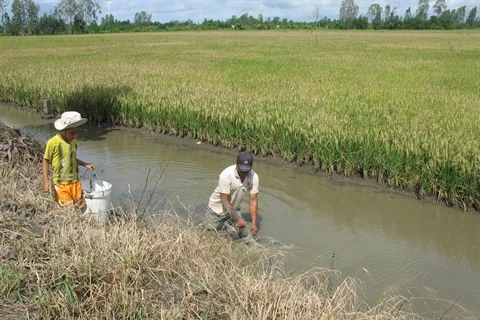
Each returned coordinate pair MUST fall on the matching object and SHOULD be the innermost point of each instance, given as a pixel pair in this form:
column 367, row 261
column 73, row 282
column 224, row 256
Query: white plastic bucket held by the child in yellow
column 97, row 196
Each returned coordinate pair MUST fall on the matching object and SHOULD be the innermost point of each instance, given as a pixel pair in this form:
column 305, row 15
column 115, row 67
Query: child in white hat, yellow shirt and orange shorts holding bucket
column 61, row 155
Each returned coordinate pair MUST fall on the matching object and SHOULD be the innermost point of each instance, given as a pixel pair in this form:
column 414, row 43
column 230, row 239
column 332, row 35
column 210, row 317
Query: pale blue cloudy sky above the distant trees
column 197, row 10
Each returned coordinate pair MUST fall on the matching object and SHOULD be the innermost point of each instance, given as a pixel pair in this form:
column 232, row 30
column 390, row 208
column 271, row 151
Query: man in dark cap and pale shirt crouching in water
column 223, row 212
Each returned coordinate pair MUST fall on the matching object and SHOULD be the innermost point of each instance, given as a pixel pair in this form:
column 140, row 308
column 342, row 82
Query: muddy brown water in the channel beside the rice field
column 390, row 241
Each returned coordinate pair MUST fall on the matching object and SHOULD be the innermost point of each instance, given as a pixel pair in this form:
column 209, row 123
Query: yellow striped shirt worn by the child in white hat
column 63, row 160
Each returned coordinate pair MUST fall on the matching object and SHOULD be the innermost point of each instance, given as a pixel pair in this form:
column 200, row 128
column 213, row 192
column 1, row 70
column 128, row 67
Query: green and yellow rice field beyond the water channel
column 399, row 107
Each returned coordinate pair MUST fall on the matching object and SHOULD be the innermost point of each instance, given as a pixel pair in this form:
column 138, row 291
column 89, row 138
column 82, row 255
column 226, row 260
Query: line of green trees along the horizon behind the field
column 82, row 16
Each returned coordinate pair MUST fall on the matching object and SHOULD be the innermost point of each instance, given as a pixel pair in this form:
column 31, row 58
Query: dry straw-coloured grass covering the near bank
column 56, row 264
